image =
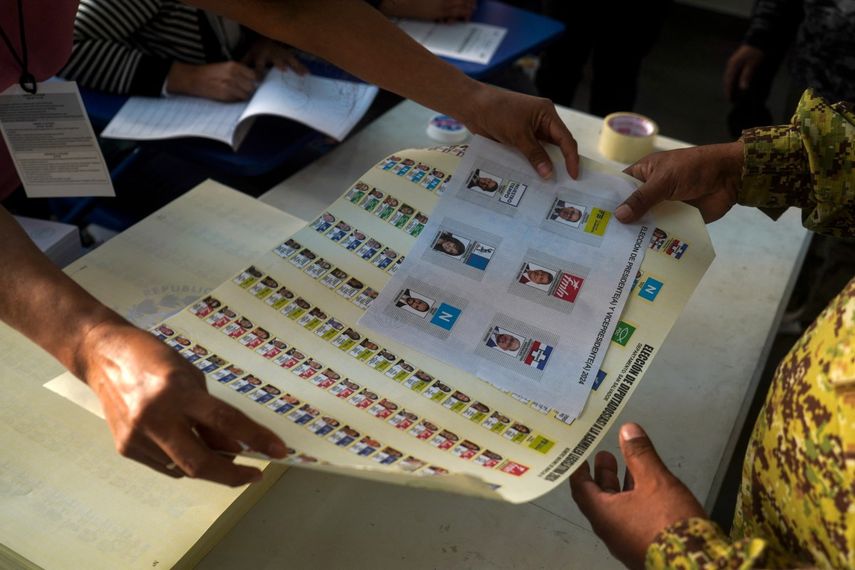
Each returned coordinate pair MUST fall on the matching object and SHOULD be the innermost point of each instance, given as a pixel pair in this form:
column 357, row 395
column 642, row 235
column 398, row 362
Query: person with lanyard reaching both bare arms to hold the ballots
column 155, row 402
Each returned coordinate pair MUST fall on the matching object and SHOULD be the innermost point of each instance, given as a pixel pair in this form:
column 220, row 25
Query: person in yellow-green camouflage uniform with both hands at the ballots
column 796, row 506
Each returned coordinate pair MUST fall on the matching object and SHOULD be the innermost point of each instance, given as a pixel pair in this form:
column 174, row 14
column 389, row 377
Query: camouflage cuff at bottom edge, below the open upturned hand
column 699, row 543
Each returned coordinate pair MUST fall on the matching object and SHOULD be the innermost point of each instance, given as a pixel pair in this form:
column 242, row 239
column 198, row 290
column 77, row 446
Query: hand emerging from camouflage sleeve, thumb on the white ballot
column 707, row 177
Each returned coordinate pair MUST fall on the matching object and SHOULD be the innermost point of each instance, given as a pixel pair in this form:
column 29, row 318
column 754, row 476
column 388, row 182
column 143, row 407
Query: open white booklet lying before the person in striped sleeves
column 331, row 106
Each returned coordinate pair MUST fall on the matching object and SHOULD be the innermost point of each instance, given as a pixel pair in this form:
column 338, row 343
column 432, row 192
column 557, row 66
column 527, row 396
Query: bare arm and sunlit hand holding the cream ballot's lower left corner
column 154, row 401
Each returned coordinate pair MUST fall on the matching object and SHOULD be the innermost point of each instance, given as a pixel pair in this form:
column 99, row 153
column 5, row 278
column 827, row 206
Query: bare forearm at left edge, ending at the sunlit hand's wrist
column 43, row 303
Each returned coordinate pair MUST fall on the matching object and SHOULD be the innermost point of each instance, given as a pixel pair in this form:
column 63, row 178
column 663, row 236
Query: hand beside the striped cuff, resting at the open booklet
column 228, row 81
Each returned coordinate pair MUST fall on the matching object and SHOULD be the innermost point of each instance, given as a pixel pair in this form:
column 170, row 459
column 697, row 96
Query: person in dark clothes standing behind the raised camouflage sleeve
column 819, row 36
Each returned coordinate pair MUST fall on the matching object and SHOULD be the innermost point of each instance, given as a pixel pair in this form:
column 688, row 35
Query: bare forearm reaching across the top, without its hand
column 356, row 37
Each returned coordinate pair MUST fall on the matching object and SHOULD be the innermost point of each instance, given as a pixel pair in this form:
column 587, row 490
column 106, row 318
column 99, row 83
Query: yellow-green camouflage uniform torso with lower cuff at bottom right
column 796, row 505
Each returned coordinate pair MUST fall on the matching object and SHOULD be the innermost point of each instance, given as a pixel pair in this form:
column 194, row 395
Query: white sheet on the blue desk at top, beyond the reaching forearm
column 466, row 41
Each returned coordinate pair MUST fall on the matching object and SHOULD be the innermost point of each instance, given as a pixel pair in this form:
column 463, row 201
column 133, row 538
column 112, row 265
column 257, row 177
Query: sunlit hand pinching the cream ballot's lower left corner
column 160, row 413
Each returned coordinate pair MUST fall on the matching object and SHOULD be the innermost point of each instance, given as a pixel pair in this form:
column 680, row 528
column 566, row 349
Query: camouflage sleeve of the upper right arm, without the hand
column 809, row 164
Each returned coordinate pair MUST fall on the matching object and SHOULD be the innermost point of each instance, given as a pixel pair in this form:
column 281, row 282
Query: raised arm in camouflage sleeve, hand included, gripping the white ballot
column 809, row 164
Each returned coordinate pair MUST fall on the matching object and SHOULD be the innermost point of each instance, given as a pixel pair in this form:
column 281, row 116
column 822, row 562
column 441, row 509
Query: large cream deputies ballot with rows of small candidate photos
column 281, row 339
